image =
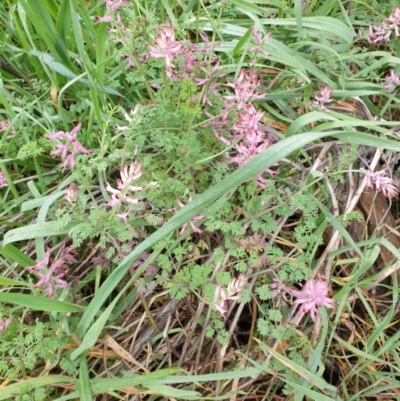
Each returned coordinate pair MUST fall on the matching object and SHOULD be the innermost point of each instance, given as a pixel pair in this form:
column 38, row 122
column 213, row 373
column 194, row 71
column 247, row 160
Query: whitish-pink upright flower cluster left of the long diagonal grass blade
column 124, row 185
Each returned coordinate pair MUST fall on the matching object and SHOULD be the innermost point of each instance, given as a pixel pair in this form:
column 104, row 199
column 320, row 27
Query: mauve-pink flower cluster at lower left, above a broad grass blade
column 52, row 278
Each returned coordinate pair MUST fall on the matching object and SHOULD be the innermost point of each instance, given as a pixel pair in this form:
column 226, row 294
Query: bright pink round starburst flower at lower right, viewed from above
column 312, row 296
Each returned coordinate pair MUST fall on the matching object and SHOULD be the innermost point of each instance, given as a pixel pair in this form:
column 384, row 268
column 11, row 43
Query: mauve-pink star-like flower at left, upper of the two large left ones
column 71, row 145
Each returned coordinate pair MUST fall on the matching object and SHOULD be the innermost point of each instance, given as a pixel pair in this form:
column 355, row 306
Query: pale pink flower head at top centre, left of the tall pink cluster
column 165, row 46
